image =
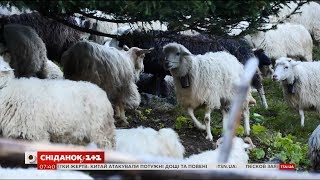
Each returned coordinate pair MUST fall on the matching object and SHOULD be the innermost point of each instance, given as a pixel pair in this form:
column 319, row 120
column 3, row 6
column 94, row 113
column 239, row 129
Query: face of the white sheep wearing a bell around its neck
column 174, row 54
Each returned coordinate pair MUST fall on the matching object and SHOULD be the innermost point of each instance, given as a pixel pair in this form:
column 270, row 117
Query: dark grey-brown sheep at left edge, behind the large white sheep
column 27, row 50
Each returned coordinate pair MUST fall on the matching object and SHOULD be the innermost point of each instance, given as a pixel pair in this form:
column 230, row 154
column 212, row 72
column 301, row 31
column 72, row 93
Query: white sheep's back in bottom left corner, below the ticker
column 33, row 173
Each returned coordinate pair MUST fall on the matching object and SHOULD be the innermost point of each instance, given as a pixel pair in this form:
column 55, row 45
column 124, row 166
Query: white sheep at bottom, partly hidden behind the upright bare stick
column 238, row 154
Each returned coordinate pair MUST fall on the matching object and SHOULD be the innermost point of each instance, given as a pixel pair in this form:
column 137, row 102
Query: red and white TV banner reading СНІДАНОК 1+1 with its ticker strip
column 94, row 160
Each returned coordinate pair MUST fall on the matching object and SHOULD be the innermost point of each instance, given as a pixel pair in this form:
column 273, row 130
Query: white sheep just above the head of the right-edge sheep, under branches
column 288, row 40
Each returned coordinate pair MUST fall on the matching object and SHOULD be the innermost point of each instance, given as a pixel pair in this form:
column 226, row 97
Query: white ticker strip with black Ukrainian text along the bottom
column 164, row 166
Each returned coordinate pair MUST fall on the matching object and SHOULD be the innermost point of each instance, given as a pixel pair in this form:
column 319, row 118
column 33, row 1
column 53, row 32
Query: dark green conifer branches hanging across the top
column 204, row 16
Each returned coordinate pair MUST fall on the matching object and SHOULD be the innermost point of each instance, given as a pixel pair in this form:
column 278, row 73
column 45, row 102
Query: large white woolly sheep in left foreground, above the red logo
column 59, row 111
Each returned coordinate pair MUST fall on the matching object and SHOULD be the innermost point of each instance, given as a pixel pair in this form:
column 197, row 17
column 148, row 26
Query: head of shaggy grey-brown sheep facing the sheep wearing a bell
column 137, row 55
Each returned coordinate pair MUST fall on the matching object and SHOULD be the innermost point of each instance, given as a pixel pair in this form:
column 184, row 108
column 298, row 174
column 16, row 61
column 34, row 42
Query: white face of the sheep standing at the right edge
column 284, row 69
